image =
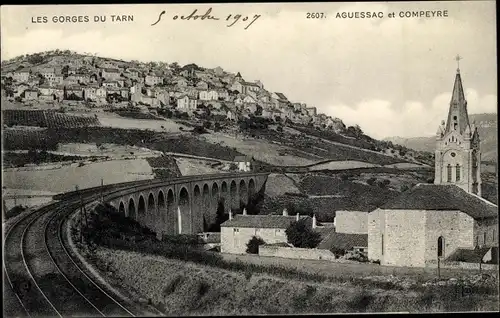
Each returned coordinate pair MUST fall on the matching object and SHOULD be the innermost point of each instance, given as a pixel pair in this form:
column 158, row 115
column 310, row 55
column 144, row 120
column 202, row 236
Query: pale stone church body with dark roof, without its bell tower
column 430, row 222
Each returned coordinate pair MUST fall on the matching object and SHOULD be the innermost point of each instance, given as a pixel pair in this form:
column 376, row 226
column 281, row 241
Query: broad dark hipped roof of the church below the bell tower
column 442, row 197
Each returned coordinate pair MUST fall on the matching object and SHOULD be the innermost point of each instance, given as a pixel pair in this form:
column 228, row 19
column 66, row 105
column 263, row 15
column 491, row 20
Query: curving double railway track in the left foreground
column 43, row 277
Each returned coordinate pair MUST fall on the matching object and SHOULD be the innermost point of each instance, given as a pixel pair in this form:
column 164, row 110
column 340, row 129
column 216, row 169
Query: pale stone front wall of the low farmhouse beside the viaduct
column 234, row 240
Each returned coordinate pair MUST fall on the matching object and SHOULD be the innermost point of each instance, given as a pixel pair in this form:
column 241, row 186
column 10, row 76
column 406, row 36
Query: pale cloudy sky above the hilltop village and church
column 391, row 76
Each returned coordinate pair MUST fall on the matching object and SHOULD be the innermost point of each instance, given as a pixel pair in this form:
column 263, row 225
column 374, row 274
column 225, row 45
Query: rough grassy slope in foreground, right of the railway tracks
column 178, row 289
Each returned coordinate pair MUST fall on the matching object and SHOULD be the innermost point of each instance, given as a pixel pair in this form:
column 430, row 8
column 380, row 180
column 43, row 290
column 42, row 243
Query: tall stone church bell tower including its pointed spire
column 458, row 155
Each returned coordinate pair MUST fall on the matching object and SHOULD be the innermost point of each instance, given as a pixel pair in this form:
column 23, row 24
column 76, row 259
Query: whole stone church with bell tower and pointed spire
column 439, row 221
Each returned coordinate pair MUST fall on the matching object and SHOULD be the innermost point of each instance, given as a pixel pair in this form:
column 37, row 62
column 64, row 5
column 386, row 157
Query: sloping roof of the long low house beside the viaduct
column 261, row 221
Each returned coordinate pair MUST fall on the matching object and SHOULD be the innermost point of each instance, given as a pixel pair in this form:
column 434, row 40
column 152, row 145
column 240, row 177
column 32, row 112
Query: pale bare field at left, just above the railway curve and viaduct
column 65, row 178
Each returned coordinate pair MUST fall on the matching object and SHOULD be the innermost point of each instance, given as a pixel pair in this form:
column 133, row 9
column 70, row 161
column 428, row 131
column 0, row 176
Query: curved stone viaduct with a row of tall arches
column 186, row 205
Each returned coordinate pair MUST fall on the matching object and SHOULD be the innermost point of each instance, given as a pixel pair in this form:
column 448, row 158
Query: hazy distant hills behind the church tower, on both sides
column 487, row 125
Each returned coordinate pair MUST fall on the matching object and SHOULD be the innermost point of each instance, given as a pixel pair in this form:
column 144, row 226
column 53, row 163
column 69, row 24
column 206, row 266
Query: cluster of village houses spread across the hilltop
column 185, row 89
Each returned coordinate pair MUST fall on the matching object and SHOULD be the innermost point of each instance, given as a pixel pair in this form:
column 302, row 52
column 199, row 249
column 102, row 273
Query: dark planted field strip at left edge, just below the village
column 42, row 118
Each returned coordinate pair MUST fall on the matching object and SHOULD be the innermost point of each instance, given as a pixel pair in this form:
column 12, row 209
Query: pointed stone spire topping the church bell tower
column 458, row 118
